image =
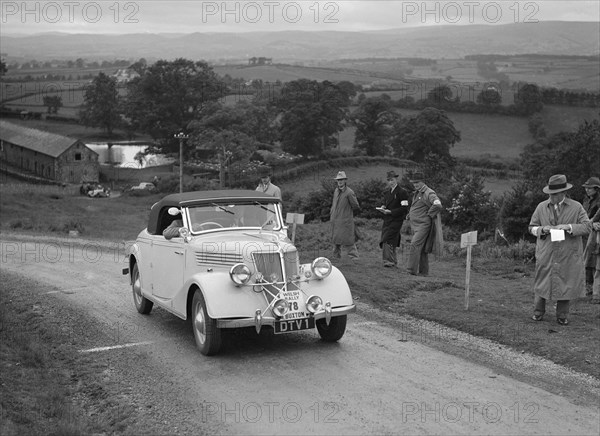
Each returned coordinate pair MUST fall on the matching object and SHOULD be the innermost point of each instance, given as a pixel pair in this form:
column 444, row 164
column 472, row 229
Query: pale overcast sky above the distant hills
column 154, row 16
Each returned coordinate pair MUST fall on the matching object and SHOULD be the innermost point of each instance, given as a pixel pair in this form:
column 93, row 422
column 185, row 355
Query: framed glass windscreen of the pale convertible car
column 218, row 215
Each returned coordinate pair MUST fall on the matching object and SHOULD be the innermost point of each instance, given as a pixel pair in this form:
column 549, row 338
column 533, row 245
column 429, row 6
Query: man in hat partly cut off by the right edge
column 591, row 204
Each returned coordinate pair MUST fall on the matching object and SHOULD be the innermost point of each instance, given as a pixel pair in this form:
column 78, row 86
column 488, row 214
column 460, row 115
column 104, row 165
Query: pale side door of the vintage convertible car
column 168, row 262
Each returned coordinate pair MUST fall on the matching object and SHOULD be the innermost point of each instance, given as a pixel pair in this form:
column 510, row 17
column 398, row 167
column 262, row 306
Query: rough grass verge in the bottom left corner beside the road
column 41, row 369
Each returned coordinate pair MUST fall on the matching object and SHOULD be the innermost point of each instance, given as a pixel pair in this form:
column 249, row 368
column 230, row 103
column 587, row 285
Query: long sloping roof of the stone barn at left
column 41, row 141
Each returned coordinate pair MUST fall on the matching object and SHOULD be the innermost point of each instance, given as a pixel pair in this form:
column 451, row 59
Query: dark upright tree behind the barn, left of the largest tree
column 100, row 106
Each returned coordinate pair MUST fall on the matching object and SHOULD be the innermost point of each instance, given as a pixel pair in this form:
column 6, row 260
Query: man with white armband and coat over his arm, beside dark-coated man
column 424, row 217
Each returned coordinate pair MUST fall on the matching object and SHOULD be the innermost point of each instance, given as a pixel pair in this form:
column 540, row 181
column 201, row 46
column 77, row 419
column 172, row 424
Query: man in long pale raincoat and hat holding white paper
column 558, row 224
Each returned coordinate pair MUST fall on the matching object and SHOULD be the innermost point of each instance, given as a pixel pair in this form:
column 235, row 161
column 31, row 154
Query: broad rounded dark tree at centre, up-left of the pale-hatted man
column 311, row 114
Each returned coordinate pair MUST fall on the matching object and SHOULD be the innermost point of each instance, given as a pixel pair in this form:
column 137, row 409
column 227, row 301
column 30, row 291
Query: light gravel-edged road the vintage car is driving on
column 381, row 378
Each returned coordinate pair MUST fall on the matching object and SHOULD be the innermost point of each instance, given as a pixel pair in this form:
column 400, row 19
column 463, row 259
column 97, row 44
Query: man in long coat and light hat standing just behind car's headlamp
column 342, row 218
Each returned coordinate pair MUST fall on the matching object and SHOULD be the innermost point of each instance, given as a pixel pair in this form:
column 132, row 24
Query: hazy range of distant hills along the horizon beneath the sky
column 450, row 41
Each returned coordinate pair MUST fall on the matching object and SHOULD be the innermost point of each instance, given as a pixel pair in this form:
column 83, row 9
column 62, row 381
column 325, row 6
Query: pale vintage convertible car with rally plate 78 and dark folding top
column 232, row 265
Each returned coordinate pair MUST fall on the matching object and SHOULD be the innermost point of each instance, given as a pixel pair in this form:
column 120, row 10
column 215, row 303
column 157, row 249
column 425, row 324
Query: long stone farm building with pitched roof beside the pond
column 47, row 155
